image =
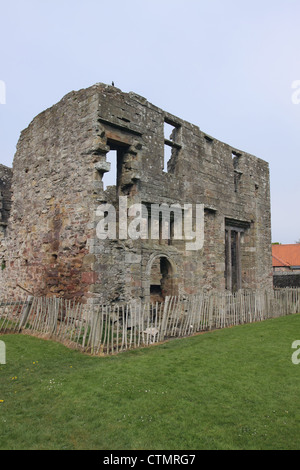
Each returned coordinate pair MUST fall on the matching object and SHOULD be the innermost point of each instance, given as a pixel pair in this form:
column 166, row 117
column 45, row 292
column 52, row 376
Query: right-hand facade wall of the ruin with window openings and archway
column 232, row 185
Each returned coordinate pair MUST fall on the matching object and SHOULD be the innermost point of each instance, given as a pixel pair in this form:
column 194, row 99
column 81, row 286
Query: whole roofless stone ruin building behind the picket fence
column 49, row 204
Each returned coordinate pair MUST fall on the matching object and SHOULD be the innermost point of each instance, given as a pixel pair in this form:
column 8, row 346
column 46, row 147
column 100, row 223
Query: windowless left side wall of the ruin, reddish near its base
column 45, row 249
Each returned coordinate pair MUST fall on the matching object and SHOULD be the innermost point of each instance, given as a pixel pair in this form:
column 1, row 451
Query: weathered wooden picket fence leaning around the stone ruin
column 109, row 329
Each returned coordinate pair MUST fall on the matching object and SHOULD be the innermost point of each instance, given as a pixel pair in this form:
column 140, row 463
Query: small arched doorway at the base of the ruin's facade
column 162, row 277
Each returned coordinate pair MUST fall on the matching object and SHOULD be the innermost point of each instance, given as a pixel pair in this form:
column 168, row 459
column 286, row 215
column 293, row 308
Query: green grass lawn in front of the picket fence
column 227, row 389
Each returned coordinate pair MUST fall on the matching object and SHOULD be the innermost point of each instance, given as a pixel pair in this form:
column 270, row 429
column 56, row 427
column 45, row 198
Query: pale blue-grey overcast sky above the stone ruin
column 227, row 66
